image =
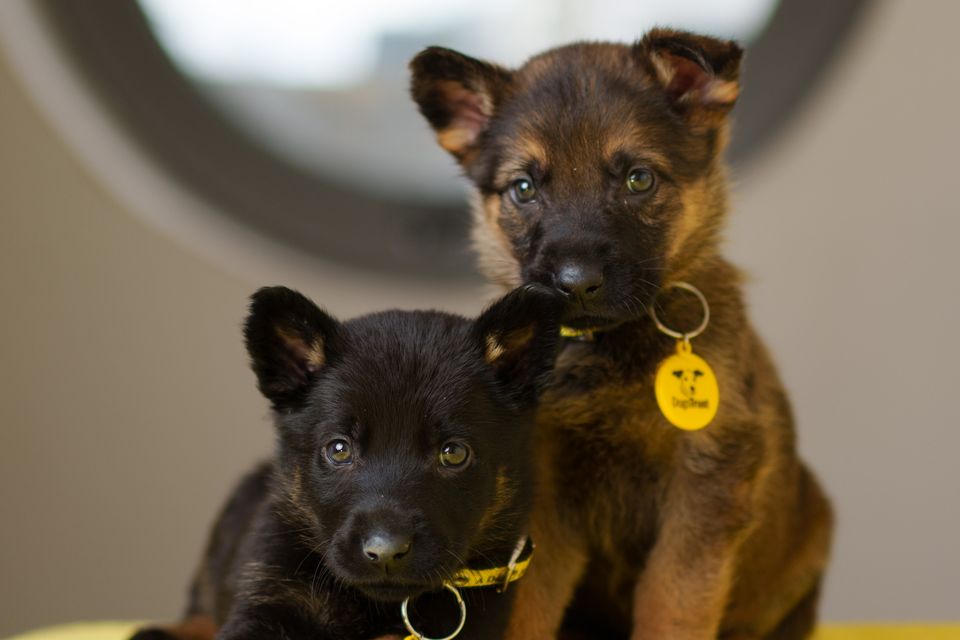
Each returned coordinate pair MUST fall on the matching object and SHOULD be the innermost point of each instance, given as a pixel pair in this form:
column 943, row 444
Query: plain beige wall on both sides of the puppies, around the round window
column 127, row 410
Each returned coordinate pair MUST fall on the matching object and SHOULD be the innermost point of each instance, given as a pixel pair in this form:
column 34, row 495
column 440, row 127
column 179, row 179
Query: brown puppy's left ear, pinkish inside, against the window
column 457, row 95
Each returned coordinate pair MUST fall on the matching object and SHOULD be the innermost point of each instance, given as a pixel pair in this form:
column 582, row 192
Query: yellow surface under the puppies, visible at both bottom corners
column 122, row 631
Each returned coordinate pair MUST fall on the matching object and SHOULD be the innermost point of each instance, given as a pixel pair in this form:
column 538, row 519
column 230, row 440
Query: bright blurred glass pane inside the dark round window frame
column 327, row 88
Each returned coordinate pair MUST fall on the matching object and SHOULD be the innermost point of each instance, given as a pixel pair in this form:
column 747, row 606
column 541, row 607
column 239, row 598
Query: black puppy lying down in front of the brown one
column 403, row 458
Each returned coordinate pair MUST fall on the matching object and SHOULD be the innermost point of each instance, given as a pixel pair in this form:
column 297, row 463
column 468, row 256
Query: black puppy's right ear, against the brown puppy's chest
column 519, row 336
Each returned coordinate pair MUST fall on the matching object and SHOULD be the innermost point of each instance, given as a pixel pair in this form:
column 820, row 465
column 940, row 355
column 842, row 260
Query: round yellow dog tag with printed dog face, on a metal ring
column 686, row 389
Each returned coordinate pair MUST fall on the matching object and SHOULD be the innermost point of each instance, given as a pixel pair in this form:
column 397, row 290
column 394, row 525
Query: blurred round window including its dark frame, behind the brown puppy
column 292, row 117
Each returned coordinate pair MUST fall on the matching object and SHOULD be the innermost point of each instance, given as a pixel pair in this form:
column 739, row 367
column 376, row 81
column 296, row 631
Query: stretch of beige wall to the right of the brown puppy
column 850, row 228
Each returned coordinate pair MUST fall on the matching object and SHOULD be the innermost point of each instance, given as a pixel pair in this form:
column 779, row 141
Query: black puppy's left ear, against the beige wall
column 289, row 340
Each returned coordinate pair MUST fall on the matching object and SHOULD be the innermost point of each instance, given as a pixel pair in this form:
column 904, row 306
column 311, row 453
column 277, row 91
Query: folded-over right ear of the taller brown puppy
column 700, row 75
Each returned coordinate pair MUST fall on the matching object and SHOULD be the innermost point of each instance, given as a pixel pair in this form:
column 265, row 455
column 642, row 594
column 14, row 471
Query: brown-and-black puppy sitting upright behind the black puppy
column 643, row 530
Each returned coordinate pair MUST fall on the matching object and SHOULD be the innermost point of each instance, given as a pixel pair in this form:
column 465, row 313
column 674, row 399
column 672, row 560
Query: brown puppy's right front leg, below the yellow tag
column 684, row 588
